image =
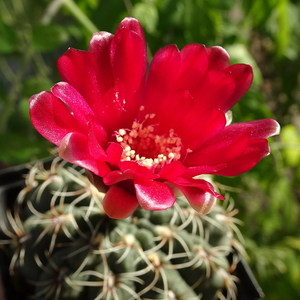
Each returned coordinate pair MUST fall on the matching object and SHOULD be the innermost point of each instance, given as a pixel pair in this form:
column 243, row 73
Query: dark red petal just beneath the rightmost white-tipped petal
column 256, row 150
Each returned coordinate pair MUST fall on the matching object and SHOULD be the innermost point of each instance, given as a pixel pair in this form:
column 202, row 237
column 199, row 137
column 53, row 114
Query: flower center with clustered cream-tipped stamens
column 148, row 149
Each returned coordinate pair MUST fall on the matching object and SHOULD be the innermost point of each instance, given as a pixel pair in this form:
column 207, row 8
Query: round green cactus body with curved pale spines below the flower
column 67, row 248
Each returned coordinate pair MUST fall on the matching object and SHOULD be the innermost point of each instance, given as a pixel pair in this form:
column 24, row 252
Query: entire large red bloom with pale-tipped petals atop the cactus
column 140, row 135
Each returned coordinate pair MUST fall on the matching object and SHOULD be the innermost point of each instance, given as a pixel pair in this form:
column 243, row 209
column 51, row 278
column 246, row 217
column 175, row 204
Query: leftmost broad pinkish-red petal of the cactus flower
column 51, row 118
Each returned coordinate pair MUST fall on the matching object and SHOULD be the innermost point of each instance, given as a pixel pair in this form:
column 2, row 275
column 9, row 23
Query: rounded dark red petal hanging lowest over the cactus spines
column 118, row 204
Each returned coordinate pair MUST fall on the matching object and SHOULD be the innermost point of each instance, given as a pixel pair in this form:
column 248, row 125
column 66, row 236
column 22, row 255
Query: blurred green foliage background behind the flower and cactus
column 263, row 33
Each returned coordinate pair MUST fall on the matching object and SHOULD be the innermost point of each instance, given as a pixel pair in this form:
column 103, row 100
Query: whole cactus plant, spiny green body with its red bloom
column 137, row 141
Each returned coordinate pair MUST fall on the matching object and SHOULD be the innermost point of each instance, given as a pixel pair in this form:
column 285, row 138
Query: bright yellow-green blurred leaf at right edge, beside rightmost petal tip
column 291, row 145
